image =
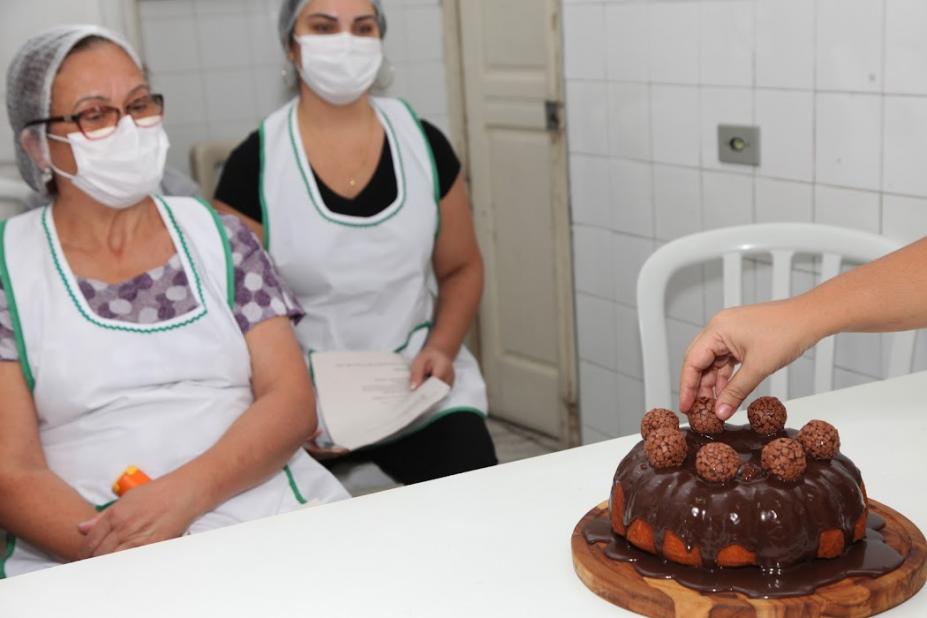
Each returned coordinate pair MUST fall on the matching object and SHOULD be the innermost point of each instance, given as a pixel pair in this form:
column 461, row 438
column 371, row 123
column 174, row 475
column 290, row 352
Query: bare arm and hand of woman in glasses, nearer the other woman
column 256, row 445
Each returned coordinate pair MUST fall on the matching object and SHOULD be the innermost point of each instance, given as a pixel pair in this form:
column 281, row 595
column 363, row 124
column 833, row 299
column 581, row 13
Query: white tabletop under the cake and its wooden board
column 493, row 542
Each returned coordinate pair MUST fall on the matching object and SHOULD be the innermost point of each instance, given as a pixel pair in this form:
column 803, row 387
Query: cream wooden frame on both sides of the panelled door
column 457, row 116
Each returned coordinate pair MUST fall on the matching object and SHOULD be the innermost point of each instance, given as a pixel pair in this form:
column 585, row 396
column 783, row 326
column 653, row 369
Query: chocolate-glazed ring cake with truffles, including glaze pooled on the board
column 759, row 509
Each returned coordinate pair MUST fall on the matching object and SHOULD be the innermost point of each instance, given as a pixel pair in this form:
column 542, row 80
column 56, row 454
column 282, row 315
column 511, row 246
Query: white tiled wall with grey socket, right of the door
column 839, row 89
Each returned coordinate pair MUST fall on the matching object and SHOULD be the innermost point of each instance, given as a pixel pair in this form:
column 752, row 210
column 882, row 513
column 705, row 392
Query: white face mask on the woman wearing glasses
column 120, row 170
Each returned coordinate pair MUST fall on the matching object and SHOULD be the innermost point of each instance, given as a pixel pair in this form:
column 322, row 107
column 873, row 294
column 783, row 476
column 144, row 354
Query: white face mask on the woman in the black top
column 339, row 67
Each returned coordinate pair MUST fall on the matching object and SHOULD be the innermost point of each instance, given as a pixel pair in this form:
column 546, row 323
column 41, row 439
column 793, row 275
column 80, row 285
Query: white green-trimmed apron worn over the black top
column 366, row 283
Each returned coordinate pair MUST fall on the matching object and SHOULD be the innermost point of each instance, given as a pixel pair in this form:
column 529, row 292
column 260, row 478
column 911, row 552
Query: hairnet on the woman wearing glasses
column 29, row 83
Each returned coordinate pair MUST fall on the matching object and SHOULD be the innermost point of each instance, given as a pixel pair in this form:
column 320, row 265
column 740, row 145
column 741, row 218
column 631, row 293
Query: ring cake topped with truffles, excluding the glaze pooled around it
column 731, row 496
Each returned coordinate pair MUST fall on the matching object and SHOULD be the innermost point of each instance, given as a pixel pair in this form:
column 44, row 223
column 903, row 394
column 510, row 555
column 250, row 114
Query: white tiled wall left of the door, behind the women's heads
column 220, row 65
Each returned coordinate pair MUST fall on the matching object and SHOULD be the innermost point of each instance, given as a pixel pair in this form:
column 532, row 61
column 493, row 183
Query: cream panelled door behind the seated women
column 511, row 76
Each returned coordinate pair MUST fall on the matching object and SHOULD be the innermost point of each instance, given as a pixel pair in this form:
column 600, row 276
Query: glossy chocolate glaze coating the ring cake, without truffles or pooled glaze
column 781, row 522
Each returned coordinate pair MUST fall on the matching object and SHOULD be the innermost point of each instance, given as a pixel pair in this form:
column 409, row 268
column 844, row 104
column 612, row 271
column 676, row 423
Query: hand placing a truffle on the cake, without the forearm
column 761, row 338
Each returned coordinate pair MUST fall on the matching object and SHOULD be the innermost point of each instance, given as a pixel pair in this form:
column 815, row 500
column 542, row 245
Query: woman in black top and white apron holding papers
column 366, row 214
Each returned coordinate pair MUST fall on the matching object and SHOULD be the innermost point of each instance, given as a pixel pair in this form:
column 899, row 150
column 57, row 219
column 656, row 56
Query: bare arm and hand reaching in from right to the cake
column 888, row 294
